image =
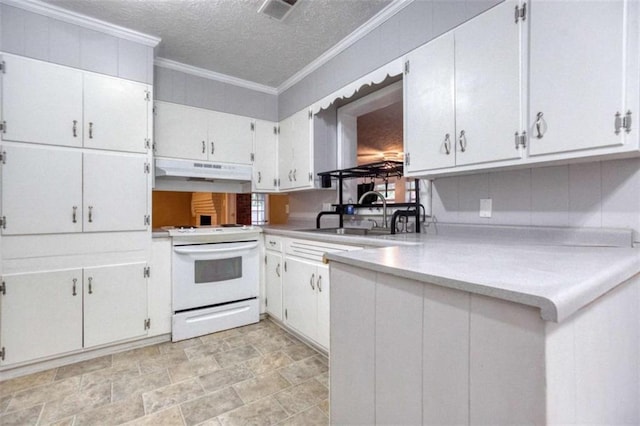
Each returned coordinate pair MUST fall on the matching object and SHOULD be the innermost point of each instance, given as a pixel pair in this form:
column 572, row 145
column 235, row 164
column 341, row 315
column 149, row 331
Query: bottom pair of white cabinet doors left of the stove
column 53, row 313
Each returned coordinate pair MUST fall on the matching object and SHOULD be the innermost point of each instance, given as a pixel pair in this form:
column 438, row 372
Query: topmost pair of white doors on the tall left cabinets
column 51, row 104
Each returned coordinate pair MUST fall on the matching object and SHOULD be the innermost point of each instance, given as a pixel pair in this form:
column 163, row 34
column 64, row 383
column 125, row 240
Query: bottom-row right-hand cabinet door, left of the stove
column 115, row 303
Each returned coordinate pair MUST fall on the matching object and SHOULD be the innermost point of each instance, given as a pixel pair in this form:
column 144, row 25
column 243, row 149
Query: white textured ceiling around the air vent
column 230, row 37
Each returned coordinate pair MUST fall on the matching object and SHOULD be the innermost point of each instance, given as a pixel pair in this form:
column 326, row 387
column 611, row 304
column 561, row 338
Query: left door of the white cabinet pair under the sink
column 300, row 296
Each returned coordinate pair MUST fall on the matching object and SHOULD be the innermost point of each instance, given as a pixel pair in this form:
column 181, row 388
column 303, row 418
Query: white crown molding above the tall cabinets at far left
column 61, row 14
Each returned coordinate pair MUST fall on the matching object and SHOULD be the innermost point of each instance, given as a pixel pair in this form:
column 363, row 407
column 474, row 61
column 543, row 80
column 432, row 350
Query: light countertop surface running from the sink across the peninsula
column 558, row 270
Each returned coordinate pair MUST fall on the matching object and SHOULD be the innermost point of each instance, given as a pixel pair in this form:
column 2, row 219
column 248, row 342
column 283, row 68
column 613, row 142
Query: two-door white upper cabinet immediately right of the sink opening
column 462, row 95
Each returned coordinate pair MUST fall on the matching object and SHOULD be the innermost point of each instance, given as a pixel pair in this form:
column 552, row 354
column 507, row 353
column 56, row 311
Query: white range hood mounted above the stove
column 201, row 176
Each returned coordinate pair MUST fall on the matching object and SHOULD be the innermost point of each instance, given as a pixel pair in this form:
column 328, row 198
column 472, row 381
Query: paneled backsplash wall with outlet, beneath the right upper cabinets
column 599, row 194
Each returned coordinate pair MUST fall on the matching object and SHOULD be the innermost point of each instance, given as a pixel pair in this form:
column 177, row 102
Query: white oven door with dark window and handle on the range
column 211, row 274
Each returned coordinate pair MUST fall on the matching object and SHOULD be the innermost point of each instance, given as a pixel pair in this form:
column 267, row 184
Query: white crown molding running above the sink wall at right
column 394, row 7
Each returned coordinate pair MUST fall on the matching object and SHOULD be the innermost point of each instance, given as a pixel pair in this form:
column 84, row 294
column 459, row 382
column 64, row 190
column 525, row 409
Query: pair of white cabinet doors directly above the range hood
column 200, row 134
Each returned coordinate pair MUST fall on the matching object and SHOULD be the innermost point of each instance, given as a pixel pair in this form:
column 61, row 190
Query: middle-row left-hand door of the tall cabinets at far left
column 41, row 190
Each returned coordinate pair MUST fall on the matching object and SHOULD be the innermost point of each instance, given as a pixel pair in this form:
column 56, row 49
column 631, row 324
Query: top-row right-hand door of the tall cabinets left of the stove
column 115, row 113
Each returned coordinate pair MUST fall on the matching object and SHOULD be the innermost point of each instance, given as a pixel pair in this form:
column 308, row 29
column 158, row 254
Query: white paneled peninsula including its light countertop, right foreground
column 529, row 326
